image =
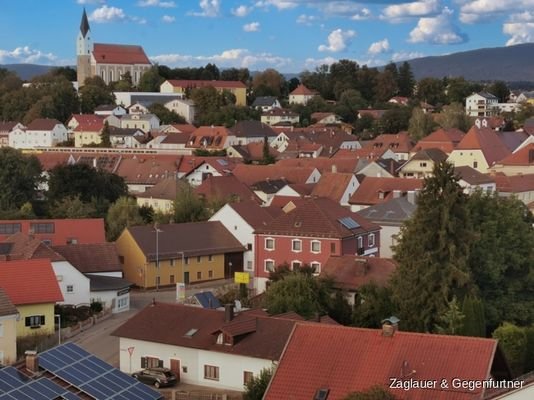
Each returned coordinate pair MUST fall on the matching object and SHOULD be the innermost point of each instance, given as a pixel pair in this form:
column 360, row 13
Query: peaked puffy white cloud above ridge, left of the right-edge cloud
column 437, row 30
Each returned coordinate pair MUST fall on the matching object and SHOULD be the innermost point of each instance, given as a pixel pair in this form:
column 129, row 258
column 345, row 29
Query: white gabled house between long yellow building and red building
column 241, row 219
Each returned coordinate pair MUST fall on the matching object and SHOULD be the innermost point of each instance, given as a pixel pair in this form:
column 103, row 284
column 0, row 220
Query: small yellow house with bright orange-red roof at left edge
column 32, row 287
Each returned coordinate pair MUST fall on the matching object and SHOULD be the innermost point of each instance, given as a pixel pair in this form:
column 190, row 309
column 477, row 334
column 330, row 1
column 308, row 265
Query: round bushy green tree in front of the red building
column 301, row 293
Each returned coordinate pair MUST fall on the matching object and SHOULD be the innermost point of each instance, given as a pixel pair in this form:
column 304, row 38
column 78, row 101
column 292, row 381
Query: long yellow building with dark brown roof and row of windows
column 172, row 253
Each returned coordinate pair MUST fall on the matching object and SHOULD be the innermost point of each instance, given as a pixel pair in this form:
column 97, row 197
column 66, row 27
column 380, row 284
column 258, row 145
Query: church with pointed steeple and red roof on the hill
column 109, row 61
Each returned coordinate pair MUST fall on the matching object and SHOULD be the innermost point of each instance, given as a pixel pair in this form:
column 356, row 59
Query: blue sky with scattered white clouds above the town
column 288, row 35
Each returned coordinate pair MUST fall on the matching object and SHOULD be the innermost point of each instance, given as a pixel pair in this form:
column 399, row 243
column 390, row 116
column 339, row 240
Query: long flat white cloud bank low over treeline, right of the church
column 238, row 58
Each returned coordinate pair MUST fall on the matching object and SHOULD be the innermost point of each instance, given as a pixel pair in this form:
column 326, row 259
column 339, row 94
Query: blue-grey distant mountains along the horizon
column 509, row 64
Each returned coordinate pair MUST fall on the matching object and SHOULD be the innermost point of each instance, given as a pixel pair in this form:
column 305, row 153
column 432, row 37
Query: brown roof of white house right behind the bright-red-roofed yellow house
column 91, row 258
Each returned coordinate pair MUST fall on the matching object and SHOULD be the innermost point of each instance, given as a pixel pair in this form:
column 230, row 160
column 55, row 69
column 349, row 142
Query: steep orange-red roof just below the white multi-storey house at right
column 484, row 139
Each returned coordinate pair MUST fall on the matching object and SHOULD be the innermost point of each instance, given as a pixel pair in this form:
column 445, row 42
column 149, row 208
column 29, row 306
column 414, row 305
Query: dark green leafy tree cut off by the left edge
column 20, row 177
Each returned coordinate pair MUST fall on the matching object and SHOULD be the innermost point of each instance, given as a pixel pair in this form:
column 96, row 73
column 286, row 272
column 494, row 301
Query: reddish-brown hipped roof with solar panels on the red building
column 317, row 217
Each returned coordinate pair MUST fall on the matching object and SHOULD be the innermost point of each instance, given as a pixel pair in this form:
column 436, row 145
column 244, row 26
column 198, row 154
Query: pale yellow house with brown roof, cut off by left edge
column 8, row 329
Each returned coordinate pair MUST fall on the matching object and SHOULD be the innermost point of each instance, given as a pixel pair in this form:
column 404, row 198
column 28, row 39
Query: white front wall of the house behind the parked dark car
column 231, row 367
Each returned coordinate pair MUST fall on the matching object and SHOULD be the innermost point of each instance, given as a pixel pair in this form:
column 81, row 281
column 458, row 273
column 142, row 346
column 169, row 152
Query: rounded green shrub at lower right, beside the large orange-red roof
column 513, row 342
